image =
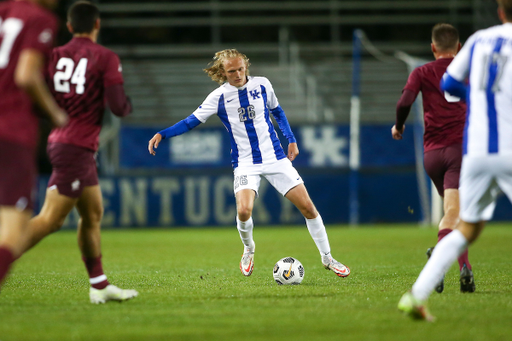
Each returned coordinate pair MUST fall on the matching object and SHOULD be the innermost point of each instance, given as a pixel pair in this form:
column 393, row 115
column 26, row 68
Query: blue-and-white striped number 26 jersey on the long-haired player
column 245, row 112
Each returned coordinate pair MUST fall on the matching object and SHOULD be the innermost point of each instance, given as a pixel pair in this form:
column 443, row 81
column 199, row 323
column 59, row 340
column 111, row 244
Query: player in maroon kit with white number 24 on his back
column 83, row 74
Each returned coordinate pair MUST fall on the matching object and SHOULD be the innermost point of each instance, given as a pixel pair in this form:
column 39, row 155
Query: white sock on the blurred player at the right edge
column 445, row 254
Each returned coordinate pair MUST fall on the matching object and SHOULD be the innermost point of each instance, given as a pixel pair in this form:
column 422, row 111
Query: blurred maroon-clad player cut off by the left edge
column 27, row 32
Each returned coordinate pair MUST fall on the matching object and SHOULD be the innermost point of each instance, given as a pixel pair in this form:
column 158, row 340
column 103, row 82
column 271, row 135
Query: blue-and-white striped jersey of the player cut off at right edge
column 486, row 62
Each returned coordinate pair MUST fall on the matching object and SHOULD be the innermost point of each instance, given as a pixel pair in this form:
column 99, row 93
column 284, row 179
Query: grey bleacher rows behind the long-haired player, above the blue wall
column 168, row 91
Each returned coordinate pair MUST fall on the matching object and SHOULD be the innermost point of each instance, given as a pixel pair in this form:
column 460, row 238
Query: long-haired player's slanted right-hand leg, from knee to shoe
column 300, row 198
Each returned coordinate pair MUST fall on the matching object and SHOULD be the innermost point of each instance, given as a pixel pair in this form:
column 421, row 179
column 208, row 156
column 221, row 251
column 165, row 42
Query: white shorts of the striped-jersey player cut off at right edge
column 481, row 179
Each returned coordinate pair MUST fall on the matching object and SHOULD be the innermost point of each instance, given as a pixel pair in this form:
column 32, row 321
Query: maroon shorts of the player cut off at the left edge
column 18, row 172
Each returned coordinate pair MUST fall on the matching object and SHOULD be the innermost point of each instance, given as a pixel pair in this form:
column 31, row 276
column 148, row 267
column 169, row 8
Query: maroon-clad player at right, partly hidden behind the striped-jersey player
column 444, row 124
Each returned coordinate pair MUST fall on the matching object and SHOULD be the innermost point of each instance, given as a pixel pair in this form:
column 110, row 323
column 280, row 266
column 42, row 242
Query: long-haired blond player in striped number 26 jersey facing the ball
column 244, row 104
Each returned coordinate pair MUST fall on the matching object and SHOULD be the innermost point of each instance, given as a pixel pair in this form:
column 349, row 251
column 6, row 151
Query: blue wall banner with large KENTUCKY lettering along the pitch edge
column 207, row 200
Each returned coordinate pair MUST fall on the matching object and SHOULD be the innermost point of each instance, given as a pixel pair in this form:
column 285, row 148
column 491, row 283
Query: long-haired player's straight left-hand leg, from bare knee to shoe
column 244, row 204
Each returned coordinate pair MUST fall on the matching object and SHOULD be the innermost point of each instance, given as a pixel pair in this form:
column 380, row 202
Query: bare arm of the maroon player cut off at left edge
column 29, row 77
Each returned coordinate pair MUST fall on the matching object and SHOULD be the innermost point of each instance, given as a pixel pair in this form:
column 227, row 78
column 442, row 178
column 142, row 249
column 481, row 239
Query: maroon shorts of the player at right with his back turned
column 443, row 167
